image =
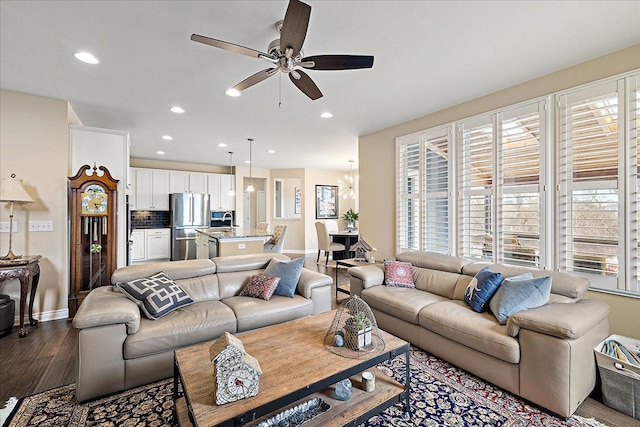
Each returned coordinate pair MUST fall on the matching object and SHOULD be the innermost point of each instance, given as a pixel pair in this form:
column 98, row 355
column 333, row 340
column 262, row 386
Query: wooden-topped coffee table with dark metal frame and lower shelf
column 296, row 367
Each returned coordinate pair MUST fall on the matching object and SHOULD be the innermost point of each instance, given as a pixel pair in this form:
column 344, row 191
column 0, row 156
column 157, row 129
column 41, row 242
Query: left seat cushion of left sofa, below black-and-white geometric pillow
column 189, row 325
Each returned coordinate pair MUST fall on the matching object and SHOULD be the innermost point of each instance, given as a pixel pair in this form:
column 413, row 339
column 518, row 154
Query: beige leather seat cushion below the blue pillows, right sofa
column 456, row 321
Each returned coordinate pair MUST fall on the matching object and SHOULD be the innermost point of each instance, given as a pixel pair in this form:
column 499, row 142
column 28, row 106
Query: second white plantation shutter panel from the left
column 435, row 146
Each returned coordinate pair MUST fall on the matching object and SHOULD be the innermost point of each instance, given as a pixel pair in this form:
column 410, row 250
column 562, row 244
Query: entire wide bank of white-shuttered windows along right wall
column 507, row 187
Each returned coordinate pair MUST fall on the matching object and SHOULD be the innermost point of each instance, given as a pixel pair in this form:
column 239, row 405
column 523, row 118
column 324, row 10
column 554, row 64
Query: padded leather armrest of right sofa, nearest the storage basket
column 560, row 320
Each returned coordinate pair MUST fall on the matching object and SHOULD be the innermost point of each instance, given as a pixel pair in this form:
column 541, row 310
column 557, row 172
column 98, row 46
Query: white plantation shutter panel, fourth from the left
column 520, row 180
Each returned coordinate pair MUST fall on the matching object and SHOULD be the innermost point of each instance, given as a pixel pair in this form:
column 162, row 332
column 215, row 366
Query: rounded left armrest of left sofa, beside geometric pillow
column 104, row 306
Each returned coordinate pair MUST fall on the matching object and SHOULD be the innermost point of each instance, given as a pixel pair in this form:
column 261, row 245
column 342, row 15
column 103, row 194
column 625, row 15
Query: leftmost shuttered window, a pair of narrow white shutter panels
column 424, row 202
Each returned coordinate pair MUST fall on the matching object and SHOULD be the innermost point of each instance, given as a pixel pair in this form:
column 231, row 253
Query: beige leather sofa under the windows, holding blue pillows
column 544, row 355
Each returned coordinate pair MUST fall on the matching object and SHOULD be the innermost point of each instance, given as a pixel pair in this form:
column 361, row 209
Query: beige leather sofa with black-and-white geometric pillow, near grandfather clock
column 119, row 348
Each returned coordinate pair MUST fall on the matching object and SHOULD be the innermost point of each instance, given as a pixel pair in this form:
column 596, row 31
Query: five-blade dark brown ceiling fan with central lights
column 286, row 54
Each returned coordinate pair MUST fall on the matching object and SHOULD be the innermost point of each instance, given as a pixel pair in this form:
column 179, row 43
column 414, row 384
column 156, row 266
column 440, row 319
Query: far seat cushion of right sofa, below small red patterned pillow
column 403, row 303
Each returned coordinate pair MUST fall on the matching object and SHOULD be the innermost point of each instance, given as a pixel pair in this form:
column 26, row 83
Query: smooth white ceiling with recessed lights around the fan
column 429, row 55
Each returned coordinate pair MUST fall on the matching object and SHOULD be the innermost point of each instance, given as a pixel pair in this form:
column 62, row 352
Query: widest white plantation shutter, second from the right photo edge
column 589, row 183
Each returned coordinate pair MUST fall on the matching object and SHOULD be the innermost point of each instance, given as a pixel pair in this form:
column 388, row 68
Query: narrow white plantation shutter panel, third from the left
column 476, row 180
